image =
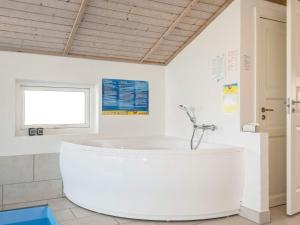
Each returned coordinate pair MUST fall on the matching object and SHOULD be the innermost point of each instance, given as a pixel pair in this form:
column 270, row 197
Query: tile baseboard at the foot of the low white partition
column 257, row 217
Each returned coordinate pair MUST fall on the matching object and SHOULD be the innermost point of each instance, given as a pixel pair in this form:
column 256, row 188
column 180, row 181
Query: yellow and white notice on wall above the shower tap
column 230, row 98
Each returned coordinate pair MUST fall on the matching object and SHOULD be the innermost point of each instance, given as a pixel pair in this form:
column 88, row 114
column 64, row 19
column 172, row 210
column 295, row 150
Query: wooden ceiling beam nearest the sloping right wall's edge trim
column 171, row 28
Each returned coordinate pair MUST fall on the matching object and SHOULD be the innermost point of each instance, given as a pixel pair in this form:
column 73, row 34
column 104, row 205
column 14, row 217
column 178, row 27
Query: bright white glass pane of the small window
column 54, row 107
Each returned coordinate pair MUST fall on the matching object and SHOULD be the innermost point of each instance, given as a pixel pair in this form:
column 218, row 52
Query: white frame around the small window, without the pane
column 22, row 129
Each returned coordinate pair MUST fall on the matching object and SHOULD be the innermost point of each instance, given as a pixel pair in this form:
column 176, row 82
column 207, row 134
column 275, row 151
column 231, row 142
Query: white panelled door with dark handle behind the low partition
column 271, row 97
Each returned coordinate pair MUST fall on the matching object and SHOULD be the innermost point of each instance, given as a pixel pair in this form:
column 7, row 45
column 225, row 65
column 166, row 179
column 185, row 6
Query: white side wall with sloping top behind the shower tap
column 189, row 78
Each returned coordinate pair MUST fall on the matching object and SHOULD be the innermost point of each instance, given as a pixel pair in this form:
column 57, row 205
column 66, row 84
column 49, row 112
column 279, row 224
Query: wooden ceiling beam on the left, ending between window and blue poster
column 75, row 27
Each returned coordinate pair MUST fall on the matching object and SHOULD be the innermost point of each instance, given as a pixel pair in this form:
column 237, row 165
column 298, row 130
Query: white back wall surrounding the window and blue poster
column 80, row 71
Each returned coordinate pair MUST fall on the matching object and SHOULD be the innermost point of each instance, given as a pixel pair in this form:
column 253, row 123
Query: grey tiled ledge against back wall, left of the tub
column 29, row 178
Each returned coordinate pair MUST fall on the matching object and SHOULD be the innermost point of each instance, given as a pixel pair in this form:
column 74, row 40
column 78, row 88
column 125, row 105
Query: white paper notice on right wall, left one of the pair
column 219, row 68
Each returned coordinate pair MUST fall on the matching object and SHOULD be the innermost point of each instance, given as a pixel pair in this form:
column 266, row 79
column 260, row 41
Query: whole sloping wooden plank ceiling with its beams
column 143, row 31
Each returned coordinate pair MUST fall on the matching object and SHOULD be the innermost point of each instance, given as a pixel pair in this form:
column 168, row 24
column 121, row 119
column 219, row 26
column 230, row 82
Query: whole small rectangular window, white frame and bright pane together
column 52, row 106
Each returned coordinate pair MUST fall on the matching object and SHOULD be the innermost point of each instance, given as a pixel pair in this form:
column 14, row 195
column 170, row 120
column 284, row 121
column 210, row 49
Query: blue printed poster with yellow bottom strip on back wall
column 125, row 97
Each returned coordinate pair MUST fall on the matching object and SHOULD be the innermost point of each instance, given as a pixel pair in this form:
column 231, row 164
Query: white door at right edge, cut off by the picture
column 293, row 118
